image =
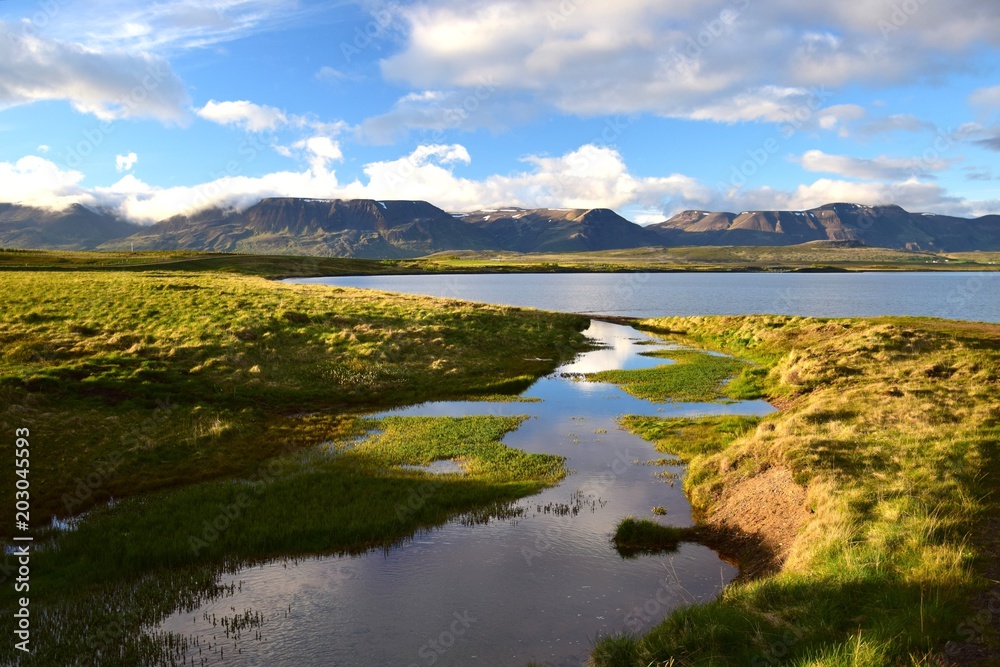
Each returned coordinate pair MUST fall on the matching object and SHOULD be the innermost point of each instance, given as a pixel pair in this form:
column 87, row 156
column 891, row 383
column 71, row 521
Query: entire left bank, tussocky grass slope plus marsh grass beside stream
column 223, row 414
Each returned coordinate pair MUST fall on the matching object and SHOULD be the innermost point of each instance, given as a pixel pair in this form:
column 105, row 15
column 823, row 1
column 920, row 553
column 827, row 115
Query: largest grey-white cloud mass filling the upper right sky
column 745, row 60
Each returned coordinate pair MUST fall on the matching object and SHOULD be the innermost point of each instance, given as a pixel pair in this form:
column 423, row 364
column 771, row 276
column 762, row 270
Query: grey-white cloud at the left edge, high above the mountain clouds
column 109, row 84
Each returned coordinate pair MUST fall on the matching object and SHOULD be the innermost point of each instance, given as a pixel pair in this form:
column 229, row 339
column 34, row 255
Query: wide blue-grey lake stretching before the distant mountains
column 964, row 296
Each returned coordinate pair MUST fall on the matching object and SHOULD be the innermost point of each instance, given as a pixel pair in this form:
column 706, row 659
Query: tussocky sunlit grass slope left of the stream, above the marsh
column 152, row 380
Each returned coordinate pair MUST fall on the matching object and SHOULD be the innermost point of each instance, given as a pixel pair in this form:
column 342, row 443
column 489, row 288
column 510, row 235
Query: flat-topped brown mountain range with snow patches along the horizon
column 397, row 229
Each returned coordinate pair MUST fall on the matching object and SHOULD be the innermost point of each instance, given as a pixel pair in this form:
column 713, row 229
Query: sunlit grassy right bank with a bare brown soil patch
column 886, row 447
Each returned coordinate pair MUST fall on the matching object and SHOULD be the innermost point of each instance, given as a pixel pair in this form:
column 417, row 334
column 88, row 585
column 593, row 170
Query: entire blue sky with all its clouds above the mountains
column 643, row 106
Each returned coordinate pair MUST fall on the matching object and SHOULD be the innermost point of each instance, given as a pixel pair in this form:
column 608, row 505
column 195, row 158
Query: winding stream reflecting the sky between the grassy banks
column 539, row 587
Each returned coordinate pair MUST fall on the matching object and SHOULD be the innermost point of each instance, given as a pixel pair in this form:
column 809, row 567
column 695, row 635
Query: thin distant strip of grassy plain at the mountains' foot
column 805, row 257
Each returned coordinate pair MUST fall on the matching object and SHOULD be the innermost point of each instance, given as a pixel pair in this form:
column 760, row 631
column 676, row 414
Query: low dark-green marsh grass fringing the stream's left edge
column 127, row 566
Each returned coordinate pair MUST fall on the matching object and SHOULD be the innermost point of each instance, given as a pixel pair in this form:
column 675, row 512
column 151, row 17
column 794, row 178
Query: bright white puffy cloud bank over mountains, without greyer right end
column 588, row 177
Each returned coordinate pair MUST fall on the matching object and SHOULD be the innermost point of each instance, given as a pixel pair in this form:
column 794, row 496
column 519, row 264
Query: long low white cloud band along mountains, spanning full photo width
column 589, row 177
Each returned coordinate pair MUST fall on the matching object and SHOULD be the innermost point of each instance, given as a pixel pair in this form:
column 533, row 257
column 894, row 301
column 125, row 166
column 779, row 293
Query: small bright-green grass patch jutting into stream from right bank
column 693, row 377
